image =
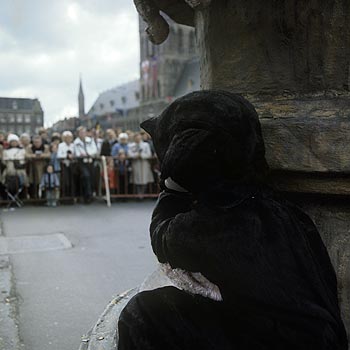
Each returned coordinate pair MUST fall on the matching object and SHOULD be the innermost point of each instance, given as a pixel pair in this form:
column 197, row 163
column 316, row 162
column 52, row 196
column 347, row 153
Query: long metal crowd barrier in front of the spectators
column 109, row 178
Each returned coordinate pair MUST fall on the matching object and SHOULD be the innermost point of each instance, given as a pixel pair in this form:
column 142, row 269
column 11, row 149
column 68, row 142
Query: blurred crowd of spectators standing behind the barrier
column 69, row 164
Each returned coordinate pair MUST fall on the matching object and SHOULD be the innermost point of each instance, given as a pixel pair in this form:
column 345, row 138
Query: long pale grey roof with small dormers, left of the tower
column 118, row 99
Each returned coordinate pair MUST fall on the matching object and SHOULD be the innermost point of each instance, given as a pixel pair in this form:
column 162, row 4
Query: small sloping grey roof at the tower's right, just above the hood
column 189, row 79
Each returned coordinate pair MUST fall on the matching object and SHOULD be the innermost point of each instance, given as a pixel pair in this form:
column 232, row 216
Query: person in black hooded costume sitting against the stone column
column 250, row 268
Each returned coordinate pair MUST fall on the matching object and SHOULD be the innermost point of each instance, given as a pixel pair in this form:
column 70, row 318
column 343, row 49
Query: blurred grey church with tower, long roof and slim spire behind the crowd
column 167, row 71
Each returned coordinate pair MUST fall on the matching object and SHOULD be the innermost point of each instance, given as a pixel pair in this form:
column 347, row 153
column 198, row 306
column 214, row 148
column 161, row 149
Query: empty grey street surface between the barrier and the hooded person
column 69, row 262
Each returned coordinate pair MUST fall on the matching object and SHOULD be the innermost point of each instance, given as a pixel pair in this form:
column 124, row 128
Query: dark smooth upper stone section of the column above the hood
column 270, row 47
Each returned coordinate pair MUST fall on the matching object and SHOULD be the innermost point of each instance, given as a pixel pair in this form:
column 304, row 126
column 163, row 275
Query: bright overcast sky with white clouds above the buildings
column 45, row 44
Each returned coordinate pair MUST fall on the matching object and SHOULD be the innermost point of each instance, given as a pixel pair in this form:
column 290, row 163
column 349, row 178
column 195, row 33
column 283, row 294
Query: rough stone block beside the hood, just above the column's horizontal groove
column 308, row 144
